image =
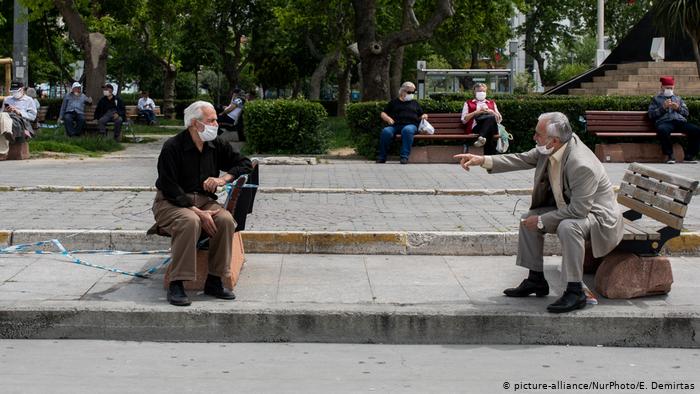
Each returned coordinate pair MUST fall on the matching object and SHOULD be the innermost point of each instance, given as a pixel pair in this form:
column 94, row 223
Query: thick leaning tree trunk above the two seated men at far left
column 93, row 45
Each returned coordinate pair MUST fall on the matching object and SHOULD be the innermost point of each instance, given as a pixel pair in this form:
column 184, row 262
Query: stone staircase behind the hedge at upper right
column 641, row 79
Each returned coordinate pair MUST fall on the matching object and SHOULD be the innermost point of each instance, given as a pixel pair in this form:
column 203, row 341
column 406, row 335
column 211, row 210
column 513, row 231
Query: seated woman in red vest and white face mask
column 482, row 118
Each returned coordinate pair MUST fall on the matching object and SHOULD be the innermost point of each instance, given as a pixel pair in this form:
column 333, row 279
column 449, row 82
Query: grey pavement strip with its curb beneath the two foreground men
column 349, row 298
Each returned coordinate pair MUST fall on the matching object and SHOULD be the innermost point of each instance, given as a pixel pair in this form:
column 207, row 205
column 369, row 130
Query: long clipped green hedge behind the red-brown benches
column 519, row 117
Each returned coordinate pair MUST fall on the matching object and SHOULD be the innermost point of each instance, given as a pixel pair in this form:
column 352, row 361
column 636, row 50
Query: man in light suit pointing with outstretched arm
column 572, row 197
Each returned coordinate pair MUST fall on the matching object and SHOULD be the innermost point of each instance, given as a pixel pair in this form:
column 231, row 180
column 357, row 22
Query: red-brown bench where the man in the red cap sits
column 627, row 125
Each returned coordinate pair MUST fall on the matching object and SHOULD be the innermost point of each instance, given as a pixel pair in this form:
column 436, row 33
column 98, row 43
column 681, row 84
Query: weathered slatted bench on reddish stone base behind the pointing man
column 635, row 268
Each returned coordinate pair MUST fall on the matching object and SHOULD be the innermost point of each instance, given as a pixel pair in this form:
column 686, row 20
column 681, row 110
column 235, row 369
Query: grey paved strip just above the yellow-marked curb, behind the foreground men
column 284, row 212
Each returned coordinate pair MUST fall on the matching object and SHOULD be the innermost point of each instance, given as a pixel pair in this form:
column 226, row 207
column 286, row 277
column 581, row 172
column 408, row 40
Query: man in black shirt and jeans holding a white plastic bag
column 402, row 114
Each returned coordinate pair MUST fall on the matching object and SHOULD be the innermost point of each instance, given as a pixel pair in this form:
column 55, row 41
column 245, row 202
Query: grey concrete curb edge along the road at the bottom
column 437, row 324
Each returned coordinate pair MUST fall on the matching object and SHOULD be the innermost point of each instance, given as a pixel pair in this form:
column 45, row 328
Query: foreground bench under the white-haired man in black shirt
column 240, row 203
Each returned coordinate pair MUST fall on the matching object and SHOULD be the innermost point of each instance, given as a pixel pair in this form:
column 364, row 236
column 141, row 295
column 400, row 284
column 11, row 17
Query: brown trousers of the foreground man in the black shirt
column 185, row 228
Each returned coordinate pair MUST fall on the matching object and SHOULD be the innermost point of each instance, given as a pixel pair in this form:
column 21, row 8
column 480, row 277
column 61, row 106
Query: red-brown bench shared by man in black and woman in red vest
column 448, row 127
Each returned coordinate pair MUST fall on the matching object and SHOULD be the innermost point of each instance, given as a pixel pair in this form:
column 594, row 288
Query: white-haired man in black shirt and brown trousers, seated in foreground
column 189, row 166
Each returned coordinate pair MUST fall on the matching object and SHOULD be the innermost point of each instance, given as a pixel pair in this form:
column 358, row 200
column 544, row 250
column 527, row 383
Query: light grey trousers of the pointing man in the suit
column 572, row 234
